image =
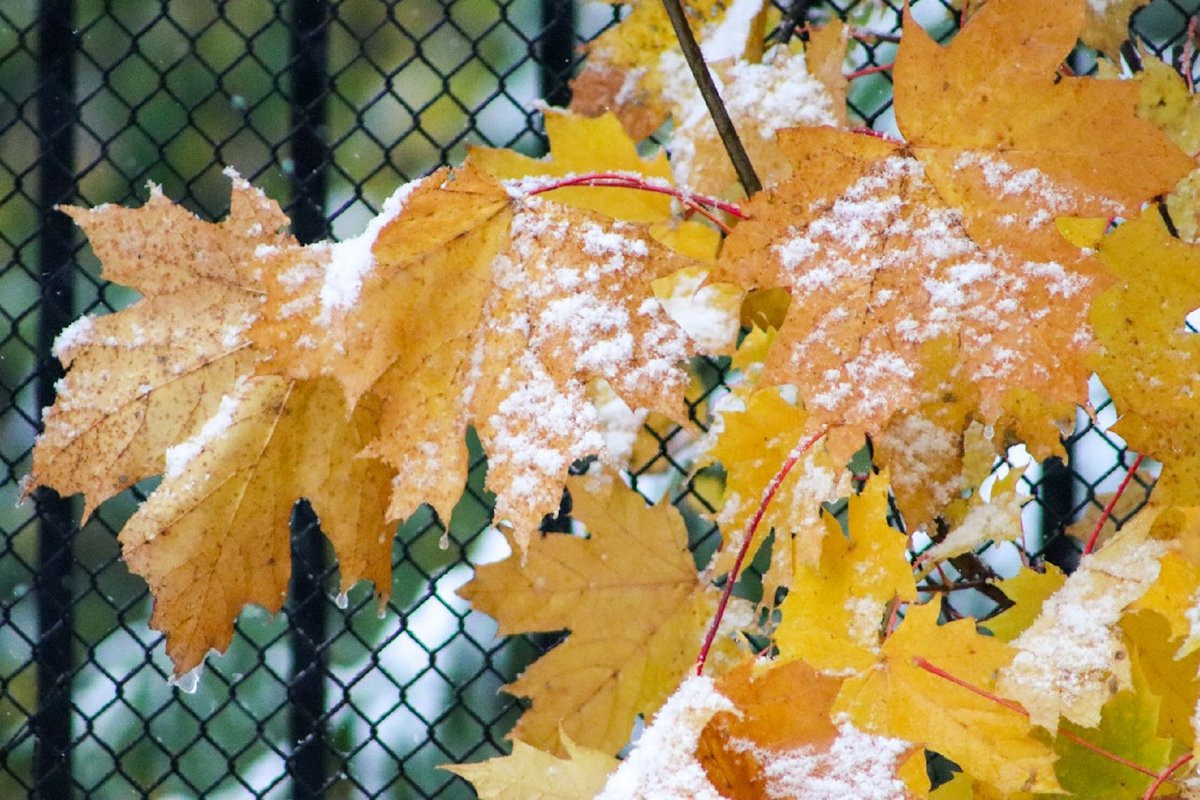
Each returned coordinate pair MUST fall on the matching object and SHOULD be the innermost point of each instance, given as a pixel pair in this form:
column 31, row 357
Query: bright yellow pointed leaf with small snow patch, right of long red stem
column 835, row 613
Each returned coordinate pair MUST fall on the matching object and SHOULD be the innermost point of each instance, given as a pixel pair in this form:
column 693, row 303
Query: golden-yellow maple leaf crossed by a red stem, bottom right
column 897, row 697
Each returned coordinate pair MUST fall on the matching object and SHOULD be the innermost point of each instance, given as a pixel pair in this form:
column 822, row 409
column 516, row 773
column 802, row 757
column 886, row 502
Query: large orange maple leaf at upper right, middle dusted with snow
column 929, row 275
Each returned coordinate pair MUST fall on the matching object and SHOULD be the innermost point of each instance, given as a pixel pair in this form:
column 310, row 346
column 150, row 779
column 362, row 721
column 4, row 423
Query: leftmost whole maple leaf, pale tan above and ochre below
column 166, row 387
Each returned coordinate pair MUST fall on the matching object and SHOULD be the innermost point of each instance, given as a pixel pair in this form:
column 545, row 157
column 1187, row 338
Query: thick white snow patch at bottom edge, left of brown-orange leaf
column 663, row 766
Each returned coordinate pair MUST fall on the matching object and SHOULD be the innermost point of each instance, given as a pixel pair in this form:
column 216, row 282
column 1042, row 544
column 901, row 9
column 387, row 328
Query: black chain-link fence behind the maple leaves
column 327, row 106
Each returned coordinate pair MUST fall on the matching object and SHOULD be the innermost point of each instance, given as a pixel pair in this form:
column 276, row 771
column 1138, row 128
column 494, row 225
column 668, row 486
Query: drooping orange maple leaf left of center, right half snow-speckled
column 535, row 300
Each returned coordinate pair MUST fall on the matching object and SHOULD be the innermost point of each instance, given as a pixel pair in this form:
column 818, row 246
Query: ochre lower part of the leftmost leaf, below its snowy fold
column 215, row 536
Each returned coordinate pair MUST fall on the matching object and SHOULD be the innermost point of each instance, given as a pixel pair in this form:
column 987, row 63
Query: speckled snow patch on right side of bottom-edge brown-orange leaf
column 857, row 766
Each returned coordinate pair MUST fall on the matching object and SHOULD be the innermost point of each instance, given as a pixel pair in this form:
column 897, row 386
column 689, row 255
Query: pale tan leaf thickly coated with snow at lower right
column 1071, row 660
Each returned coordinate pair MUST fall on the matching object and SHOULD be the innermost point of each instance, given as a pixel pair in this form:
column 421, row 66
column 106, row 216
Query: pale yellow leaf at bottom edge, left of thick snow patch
column 525, row 774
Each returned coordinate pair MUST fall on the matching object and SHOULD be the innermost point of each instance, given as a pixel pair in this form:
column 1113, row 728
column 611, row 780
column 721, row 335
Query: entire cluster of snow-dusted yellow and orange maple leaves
column 914, row 308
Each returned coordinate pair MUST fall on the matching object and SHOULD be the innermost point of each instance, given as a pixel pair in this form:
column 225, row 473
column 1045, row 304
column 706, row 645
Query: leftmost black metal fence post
column 57, row 116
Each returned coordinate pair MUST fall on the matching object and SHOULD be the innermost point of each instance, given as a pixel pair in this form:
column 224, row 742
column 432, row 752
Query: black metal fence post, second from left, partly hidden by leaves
column 308, row 763
